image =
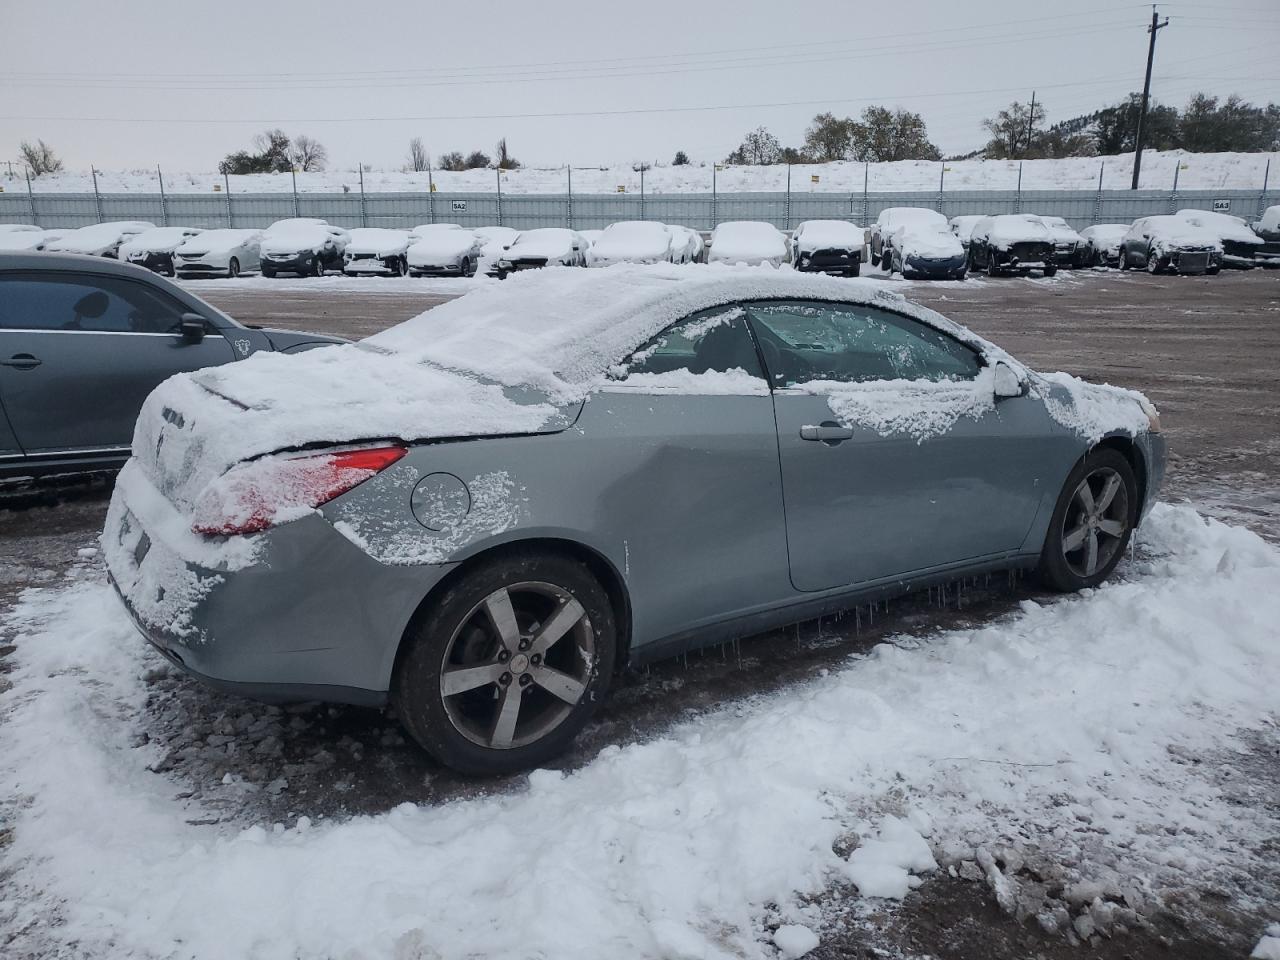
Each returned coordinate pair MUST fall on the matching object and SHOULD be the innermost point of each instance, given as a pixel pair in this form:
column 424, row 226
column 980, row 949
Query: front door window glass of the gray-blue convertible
column 807, row 341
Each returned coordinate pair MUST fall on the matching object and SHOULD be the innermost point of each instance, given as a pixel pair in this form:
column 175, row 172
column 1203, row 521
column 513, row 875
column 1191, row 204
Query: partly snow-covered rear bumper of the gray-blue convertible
column 310, row 616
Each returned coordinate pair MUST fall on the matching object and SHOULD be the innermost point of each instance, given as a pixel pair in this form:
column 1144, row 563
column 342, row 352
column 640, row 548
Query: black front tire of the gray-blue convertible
column 1057, row 568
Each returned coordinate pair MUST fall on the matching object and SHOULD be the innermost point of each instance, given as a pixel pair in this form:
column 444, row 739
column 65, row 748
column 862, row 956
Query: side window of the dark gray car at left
column 88, row 304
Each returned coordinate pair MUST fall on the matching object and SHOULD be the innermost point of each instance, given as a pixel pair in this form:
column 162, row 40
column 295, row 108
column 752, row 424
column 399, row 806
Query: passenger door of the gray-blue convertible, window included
column 895, row 456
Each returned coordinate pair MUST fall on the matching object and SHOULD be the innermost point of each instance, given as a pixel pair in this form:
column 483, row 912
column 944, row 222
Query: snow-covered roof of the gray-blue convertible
column 560, row 330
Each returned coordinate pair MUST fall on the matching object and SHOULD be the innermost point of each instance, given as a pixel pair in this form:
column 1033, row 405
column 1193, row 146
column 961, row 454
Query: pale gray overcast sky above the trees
column 130, row 85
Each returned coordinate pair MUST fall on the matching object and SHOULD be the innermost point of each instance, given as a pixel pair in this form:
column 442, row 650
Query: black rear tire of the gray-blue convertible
column 458, row 632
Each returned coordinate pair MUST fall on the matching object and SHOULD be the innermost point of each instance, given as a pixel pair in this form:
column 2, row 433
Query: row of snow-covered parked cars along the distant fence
column 918, row 243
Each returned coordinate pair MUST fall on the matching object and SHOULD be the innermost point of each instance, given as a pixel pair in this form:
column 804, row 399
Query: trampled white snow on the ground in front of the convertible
column 1089, row 758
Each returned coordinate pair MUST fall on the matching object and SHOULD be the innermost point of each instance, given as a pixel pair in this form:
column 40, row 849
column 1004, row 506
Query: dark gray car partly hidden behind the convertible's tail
column 83, row 344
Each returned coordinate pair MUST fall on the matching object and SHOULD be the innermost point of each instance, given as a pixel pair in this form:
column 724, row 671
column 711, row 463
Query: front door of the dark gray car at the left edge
column 80, row 353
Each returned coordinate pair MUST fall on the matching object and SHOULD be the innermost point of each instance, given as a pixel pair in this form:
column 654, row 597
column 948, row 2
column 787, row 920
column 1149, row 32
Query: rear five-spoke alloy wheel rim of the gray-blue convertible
column 518, row 665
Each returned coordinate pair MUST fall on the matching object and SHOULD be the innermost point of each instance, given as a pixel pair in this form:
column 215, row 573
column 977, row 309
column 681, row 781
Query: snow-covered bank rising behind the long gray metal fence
column 1195, row 172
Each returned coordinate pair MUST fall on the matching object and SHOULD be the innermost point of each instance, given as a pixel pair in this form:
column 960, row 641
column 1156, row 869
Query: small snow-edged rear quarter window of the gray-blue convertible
column 712, row 341
